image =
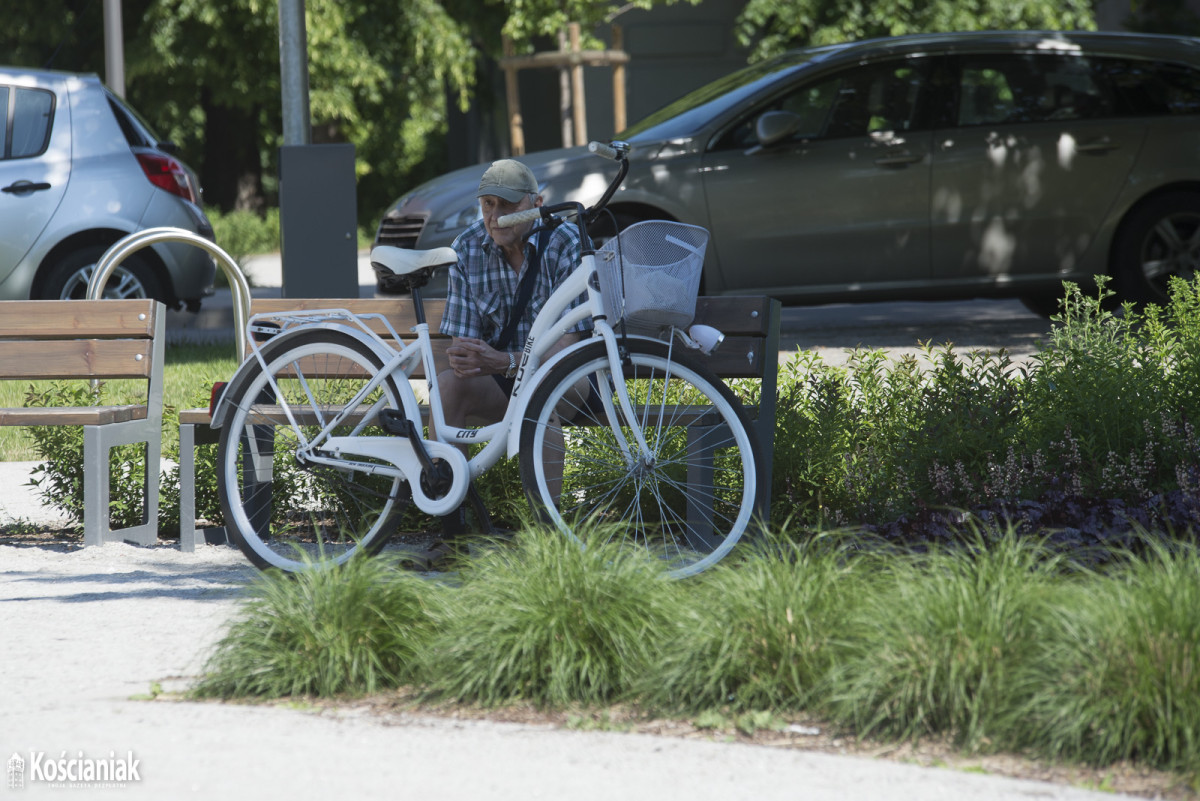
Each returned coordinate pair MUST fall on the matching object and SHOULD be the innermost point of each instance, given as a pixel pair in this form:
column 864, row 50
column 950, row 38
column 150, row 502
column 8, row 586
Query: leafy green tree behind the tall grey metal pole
column 379, row 79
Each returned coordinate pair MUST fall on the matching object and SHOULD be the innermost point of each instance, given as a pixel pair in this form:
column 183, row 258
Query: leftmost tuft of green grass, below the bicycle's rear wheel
column 356, row 630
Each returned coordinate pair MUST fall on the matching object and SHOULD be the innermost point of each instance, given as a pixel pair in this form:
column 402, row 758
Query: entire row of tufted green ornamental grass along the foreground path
column 992, row 643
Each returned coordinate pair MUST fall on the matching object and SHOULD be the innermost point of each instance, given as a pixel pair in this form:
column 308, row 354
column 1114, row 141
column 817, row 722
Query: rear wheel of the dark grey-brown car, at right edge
column 1160, row 240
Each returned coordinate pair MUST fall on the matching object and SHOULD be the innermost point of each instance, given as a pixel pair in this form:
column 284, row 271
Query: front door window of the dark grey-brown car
column 853, row 104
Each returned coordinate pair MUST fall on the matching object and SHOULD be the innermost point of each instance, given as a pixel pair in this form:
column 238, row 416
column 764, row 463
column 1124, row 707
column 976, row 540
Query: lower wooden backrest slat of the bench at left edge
column 52, row 360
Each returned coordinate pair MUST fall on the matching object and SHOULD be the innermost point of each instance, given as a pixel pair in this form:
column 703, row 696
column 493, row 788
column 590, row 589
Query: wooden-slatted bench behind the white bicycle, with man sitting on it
column 751, row 351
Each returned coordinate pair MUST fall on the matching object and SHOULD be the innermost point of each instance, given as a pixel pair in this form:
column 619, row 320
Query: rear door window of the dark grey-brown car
column 1029, row 88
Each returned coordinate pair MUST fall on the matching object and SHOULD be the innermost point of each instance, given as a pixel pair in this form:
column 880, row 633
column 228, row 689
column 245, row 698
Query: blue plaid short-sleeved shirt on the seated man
column 483, row 287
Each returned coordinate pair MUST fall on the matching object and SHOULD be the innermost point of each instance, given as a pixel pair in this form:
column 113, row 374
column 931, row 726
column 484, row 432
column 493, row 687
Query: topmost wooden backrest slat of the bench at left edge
column 73, row 320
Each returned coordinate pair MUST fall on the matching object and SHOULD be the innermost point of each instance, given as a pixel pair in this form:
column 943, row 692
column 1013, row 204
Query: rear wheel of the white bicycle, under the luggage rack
column 283, row 510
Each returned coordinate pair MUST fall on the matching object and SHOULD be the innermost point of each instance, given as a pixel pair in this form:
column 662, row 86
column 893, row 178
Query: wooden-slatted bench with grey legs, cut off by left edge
column 93, row 341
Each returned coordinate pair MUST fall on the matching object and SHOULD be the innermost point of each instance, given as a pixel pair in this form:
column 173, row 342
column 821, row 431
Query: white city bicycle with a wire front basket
column 658, row 451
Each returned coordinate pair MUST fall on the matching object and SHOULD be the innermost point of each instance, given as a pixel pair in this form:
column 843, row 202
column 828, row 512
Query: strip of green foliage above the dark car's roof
column 771, row 27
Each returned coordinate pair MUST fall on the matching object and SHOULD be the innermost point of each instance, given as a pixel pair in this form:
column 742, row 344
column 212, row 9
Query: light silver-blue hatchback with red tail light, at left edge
column 79, row 172
